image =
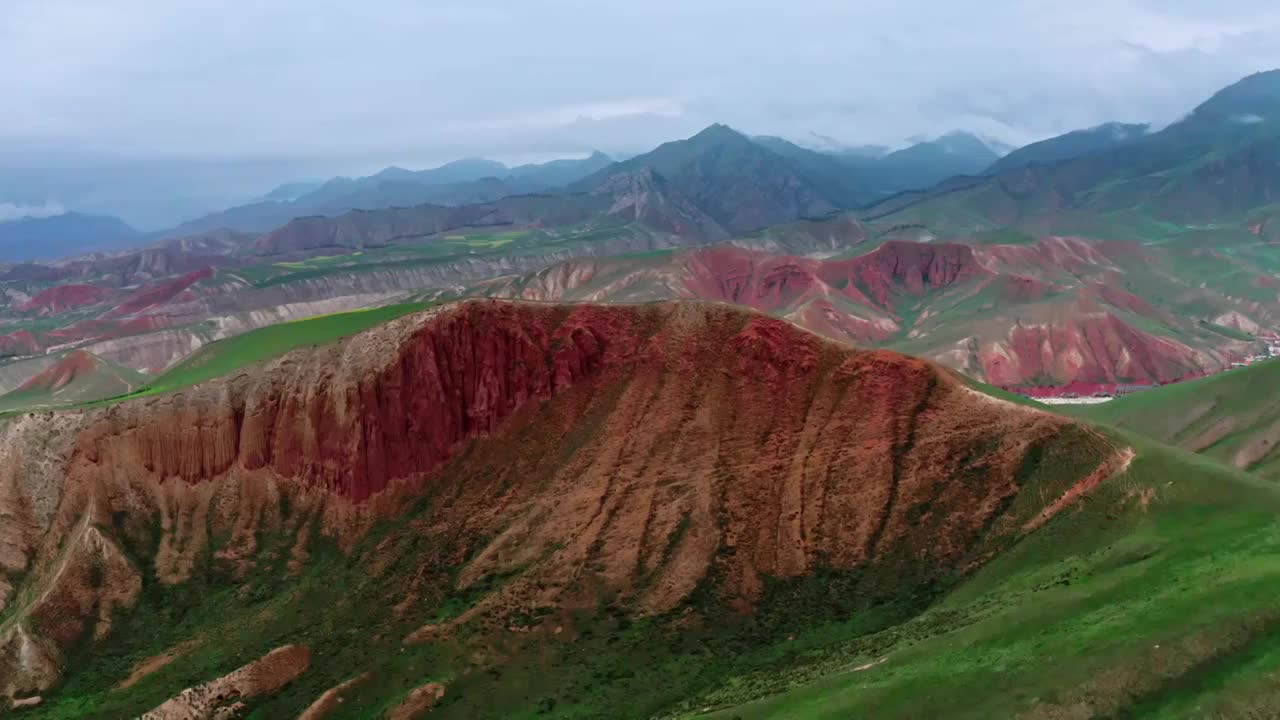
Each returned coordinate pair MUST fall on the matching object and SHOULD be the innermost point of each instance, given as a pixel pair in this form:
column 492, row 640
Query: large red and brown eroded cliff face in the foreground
column 630, row 452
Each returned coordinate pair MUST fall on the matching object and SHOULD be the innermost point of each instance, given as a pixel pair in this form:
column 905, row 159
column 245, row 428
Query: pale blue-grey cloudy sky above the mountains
column 264, row 92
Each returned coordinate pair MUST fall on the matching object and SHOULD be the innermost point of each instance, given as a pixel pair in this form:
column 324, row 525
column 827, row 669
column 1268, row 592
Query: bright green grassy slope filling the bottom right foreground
column 1151, row 600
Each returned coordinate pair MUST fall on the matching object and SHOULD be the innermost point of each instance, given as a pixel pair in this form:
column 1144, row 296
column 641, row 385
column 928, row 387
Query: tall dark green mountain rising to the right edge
column 1219, row 165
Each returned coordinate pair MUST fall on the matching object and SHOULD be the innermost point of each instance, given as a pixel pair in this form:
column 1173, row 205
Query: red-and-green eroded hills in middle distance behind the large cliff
column 1057, row 312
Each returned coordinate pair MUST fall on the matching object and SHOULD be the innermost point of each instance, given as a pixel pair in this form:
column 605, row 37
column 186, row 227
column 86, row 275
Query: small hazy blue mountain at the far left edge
column 60, row 236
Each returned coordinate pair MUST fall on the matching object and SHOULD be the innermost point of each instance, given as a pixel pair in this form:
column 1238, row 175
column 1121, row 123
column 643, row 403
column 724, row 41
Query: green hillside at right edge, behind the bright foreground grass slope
column 1233, row 417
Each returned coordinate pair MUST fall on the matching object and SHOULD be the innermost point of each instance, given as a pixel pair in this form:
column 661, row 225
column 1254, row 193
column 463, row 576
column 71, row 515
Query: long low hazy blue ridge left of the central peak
column 463, row 183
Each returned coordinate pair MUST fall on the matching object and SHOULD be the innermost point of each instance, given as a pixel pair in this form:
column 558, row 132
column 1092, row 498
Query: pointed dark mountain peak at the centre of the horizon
column 740, row 184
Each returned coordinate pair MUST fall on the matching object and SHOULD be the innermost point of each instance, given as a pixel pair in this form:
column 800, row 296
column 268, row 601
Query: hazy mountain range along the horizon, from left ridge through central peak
column 702, row 166
